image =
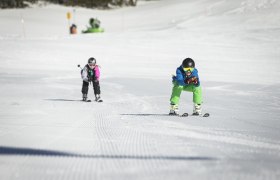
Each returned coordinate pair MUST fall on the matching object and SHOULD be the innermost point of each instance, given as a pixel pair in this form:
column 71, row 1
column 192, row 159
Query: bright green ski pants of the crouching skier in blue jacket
column 177, row 89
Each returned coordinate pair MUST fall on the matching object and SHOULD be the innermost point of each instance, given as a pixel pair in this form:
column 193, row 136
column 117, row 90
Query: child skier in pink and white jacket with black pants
column 91, row 74
